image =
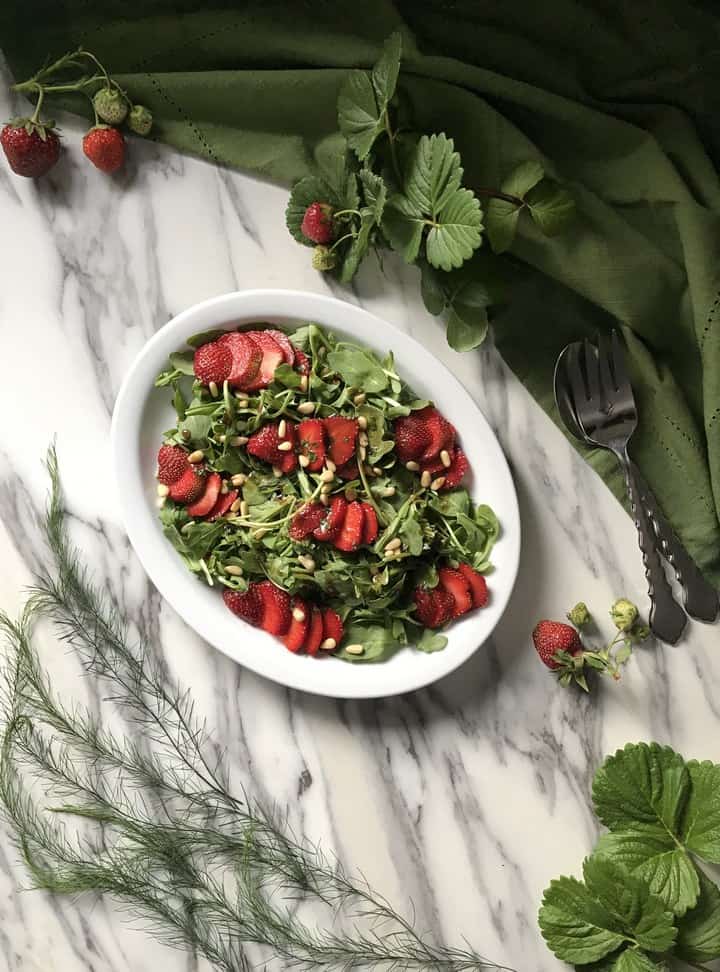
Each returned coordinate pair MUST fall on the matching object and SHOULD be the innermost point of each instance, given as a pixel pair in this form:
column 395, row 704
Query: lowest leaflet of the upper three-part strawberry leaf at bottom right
column 665, row 867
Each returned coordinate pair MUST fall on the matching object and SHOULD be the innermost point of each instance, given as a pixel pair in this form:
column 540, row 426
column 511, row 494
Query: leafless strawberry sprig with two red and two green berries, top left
column 31, row 144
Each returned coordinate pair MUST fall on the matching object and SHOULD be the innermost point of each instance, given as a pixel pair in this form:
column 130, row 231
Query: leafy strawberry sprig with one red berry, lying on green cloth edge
column 390, row 186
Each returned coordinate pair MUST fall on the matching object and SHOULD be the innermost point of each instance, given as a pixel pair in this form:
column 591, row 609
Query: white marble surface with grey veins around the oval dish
column 467, row 797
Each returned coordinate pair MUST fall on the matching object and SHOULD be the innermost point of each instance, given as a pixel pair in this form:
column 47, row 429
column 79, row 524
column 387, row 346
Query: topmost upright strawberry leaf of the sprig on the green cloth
column 364, row 99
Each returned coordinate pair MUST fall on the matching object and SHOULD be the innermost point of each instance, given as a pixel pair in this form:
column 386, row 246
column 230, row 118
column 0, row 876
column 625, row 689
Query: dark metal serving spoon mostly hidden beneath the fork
column 700, row 599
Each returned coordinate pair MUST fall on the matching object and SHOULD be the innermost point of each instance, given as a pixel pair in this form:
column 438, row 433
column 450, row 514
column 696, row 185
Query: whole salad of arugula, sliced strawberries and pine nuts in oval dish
column 307, row 482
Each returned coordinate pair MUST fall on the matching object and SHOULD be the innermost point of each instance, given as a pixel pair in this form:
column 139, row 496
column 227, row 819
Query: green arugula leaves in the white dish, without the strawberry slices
column 370, row 590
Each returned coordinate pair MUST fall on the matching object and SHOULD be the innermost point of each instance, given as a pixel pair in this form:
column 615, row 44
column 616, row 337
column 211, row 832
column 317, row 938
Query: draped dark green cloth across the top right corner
column 620, row 101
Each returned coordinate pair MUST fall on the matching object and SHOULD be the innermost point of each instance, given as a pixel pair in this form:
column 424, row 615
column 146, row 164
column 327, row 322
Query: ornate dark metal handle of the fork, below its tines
column 667, row 619
